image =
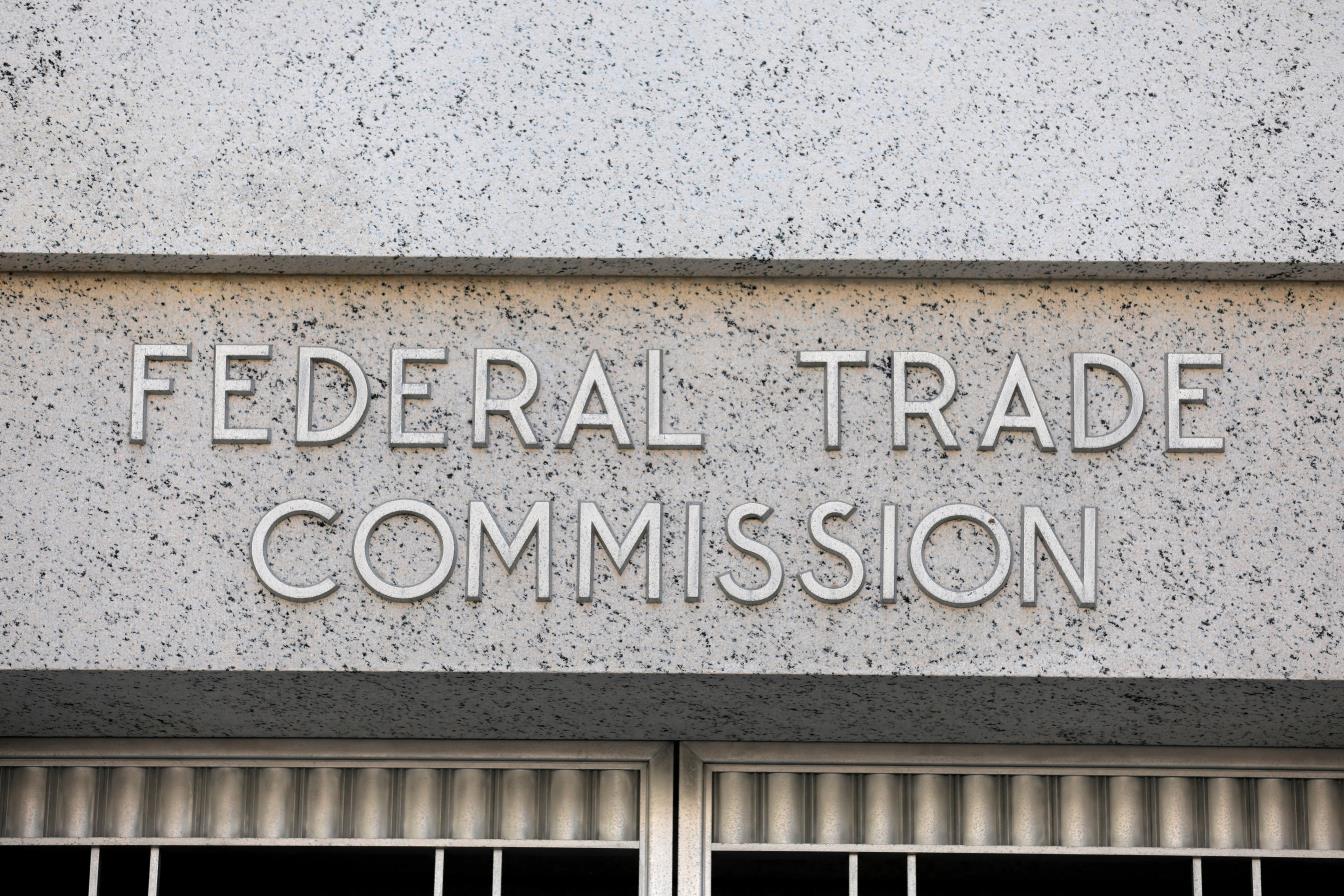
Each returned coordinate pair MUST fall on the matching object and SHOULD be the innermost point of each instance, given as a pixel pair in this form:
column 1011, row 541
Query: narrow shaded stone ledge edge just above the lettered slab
column 647, row 267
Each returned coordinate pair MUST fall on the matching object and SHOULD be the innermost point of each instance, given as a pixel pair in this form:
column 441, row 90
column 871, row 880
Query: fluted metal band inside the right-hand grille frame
column 1029, row 811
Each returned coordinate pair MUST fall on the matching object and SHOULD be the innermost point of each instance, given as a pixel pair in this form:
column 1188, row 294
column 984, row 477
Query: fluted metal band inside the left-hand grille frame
column 326, row 803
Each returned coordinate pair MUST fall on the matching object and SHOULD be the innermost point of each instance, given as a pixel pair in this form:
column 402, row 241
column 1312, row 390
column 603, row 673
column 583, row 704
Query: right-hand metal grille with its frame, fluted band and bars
column 1042, row 801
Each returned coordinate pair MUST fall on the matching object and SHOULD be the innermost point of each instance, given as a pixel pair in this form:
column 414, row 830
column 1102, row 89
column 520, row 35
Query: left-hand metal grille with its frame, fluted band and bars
column 495, row 796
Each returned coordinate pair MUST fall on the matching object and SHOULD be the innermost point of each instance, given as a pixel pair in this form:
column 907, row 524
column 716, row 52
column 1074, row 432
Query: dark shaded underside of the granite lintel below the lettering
column 858, row 709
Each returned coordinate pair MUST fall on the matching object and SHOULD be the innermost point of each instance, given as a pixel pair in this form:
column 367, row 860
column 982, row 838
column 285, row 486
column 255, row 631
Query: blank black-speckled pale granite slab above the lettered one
column 1041, row 138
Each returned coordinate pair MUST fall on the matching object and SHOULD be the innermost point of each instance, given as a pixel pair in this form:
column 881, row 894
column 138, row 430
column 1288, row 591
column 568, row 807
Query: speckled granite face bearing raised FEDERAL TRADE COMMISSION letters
column 671, row 476
